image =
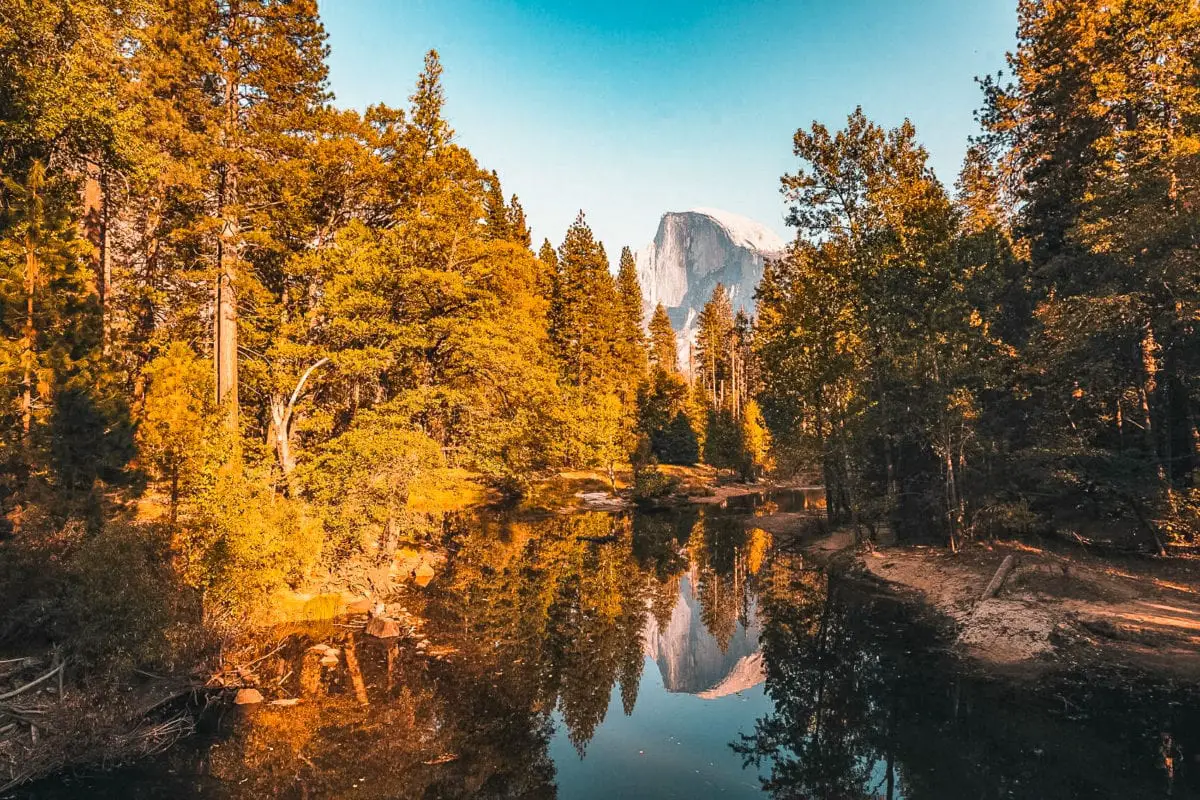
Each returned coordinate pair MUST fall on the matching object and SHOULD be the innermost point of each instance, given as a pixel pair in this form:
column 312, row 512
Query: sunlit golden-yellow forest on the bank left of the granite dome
column 251, row 338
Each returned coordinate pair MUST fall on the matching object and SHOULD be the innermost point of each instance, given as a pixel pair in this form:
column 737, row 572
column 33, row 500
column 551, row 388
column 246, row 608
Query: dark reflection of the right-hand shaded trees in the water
column 868, row 705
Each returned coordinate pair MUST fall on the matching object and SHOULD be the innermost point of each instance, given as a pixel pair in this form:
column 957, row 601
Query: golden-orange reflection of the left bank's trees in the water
column 533, row 617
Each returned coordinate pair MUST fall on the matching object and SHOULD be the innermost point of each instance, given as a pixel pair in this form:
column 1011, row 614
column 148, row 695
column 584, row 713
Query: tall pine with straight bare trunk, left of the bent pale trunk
column 237, row 86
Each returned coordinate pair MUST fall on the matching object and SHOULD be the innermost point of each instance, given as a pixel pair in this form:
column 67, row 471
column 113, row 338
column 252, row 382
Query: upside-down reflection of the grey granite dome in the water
column 692, row 661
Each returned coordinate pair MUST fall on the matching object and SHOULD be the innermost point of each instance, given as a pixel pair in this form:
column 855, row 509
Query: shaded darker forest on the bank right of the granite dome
column 1022, row 356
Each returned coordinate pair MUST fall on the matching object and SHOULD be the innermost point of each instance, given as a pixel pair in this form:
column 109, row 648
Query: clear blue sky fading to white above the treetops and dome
column 631, row 109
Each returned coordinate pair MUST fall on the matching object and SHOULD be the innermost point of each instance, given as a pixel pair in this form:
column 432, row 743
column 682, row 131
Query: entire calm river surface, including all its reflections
column 691, row 658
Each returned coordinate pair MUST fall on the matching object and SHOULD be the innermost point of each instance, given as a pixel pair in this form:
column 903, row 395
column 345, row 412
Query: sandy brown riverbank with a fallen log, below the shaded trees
column 1058, row 607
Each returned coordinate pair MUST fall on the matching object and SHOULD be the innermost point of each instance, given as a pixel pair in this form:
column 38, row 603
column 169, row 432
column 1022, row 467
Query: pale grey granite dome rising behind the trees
column 694, row 251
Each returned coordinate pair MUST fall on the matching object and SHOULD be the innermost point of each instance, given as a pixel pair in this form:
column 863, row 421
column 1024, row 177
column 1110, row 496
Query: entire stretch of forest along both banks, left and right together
column 250, row 336
